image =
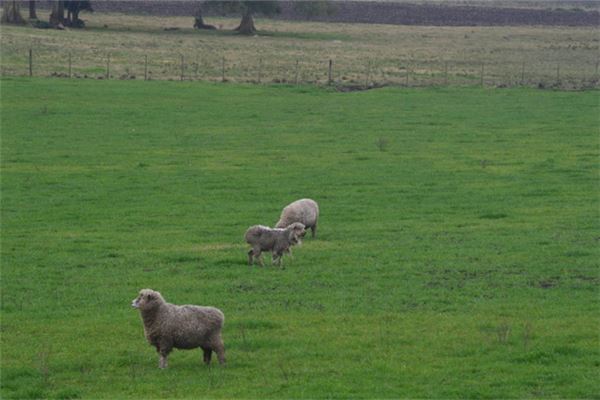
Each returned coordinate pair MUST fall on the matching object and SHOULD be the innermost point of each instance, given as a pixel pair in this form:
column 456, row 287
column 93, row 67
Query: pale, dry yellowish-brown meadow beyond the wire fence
column 284, row 51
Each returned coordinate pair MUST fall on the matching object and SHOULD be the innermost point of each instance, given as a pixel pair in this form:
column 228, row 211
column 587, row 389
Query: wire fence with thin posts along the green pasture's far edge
column 341, row 73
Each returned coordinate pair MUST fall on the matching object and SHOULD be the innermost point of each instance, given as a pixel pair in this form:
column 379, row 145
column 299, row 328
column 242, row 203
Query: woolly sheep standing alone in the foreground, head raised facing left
column 168, row 326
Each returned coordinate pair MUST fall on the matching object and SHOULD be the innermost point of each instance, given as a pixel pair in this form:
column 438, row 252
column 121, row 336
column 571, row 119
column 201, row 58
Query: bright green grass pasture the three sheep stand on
column 457, row 254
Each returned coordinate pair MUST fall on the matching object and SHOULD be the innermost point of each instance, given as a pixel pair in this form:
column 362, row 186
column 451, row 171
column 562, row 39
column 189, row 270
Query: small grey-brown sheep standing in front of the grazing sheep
column 278, row 241
